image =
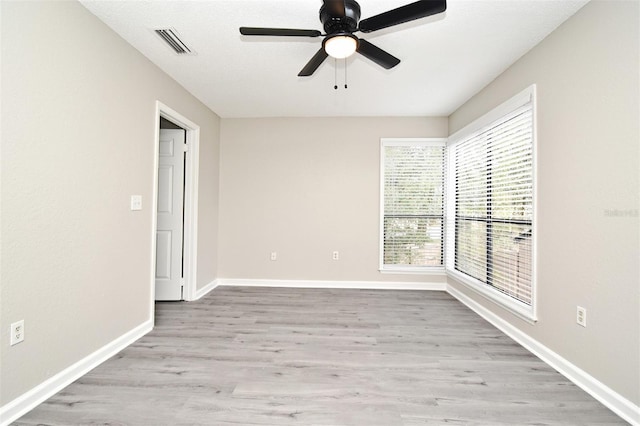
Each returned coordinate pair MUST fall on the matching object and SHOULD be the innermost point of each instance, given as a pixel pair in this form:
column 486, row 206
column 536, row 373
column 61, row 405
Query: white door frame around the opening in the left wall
column 190, row 235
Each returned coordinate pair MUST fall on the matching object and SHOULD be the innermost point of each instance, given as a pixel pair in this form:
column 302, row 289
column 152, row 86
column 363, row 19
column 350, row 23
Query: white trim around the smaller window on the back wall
column 400, row 269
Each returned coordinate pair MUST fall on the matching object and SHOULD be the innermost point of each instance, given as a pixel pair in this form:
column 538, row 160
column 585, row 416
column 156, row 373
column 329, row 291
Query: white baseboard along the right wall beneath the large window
column 607, row 396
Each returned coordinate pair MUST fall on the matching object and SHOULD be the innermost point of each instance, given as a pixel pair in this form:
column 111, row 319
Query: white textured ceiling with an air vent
column 446, row 58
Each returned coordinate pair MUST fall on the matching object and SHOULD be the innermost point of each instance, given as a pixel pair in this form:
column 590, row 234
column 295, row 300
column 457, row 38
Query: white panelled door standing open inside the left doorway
column 169, row 234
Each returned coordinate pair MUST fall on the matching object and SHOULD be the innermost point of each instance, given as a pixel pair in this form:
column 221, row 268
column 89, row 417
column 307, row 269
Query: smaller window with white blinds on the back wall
column 412, row 204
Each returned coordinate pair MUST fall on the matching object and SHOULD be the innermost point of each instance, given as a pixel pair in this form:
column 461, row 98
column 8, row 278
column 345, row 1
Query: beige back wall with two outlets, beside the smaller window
column 304, row 187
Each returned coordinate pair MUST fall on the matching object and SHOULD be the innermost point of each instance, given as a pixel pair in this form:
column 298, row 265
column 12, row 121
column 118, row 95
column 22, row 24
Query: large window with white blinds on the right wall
column 490, row 209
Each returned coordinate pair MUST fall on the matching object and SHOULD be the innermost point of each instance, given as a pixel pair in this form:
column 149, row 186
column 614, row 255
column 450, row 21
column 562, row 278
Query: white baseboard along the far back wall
column 365, row 285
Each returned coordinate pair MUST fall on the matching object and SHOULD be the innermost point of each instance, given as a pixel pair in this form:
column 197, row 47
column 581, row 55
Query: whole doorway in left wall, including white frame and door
column 174, row 243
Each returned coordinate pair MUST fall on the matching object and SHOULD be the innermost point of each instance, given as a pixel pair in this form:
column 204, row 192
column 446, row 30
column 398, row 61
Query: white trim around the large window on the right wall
column 522, row 310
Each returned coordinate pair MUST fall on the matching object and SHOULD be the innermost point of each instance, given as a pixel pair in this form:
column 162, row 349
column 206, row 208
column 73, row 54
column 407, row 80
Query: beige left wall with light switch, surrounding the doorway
column 78, row 117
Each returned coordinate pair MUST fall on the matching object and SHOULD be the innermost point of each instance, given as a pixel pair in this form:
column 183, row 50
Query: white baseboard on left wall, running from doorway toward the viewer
column 29, row 400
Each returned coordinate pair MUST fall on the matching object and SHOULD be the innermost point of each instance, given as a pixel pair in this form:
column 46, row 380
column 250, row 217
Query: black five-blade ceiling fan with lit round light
column 340, row 20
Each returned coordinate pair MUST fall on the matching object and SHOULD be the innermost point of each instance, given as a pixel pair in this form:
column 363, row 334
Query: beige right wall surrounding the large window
column 588, row 167
